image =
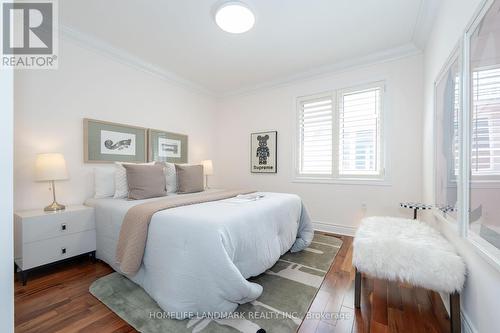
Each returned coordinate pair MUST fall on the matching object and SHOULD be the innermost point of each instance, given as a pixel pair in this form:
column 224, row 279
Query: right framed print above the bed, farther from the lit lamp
column 167, row 146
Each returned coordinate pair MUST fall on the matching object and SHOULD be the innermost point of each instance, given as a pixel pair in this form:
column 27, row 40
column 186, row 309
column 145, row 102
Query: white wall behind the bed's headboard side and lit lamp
column 50, row 106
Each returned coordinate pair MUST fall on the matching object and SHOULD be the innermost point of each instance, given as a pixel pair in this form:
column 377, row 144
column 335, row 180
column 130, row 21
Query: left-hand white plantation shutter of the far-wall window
column 315, row 135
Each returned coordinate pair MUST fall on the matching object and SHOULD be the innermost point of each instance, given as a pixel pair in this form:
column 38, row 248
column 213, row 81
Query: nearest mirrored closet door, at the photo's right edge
column 484, row 127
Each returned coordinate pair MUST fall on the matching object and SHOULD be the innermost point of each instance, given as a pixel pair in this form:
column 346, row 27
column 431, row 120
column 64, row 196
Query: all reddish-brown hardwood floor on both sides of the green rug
column 57, row 300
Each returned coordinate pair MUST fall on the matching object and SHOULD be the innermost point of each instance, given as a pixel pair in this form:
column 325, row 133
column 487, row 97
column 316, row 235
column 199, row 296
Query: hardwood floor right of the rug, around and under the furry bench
column 385, row 306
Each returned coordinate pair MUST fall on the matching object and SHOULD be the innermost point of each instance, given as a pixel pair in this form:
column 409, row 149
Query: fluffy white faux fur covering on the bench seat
column 410, row 251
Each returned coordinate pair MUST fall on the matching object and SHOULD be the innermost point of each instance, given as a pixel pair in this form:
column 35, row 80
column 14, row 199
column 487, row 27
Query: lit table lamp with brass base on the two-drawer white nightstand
column 51, row 167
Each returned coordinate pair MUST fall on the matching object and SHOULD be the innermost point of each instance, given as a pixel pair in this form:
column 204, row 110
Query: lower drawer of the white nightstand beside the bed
column 59, row 248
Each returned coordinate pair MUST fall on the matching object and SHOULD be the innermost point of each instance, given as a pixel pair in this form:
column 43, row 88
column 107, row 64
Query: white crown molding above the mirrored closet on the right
column 425, row 19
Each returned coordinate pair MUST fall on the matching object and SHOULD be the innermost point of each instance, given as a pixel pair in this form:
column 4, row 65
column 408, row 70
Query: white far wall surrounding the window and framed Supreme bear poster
column 334, row 204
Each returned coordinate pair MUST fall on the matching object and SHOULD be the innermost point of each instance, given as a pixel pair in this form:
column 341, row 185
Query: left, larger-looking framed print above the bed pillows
column 106, row 142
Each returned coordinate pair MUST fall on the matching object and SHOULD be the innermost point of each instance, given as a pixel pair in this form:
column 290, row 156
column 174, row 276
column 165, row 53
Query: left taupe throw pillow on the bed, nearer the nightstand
column 145, row 181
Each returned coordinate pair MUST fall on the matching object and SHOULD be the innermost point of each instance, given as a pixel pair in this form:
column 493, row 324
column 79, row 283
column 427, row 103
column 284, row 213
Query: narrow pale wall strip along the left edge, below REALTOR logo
column 6, row 226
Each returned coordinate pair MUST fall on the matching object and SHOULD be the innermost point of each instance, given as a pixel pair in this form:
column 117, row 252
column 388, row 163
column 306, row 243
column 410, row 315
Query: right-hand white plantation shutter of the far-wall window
column 359, row 132
